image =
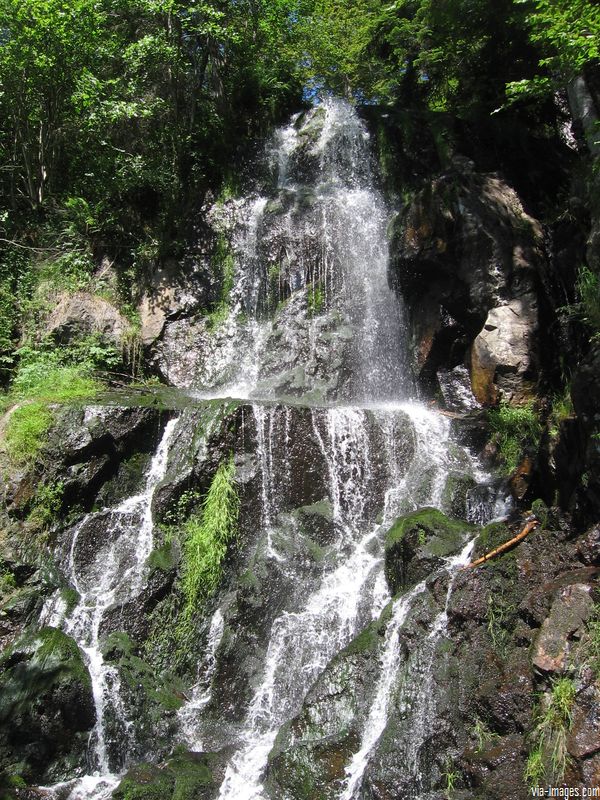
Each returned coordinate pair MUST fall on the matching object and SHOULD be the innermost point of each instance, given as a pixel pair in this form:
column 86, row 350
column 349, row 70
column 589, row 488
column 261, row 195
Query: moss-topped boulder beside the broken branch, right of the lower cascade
column 417, row 542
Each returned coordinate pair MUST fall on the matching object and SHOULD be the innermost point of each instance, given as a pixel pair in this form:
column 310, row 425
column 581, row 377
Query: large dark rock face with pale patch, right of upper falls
column 466, row 257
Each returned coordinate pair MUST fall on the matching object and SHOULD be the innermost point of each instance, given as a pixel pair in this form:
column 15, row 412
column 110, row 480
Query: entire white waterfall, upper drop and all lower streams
column 313, row 339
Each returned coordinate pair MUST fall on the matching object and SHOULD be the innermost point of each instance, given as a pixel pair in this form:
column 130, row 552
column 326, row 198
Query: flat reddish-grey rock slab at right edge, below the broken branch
column 570, row 609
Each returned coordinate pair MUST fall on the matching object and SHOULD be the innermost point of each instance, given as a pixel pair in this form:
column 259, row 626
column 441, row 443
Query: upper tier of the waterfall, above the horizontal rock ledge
column 316, row 254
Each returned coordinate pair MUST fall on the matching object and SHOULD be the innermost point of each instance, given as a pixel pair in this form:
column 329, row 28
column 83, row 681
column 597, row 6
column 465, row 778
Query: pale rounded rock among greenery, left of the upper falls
column 81, row 314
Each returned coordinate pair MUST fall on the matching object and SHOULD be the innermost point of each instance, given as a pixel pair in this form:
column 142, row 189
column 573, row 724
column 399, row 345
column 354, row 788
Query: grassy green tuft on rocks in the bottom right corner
column 548, row 758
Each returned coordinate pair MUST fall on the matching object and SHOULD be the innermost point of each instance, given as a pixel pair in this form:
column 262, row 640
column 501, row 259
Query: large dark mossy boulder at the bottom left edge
column 46, row 707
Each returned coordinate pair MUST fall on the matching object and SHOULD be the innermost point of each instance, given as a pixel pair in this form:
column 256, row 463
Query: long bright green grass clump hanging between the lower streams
column 207, row 534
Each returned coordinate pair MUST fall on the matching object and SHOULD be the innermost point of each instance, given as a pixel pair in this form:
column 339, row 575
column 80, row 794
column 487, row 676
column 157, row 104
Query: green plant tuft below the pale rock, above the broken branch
column 516, row 429
